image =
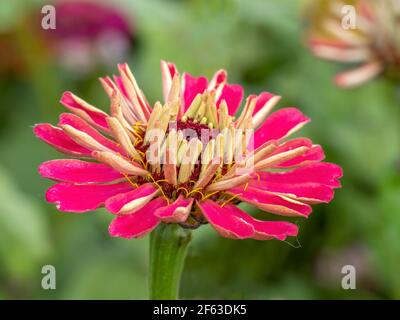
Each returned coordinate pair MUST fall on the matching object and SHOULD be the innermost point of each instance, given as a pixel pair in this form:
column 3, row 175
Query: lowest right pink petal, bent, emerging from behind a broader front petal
column 265, row 230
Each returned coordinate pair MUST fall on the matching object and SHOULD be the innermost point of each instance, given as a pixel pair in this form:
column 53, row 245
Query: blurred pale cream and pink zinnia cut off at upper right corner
column 372, row 47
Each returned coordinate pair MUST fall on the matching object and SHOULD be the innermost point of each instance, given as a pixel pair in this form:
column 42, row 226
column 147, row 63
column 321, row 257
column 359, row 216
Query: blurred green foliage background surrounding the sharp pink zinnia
column 261, row 44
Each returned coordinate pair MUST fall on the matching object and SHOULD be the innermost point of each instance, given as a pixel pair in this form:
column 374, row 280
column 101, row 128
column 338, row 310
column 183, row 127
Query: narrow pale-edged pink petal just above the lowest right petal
column 271, row 202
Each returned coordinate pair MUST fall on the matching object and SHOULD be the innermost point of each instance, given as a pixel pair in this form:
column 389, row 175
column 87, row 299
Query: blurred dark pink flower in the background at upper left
column 89, row 32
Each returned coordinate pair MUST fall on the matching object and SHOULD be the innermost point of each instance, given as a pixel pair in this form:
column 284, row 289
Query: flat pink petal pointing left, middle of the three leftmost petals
column 78, row 171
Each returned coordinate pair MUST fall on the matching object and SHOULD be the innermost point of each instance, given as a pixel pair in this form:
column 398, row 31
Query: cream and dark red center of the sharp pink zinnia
column 188, row 158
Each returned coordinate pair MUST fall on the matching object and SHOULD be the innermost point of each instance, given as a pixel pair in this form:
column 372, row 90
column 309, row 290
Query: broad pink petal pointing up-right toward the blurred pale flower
column 279, row 125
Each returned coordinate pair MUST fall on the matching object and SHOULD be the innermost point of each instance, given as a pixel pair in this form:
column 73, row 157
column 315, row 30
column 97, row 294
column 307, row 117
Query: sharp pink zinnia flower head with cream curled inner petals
column 187, row 161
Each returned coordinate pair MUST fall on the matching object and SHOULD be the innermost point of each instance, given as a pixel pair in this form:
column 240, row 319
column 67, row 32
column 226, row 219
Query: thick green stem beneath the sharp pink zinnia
column 168, row 244
